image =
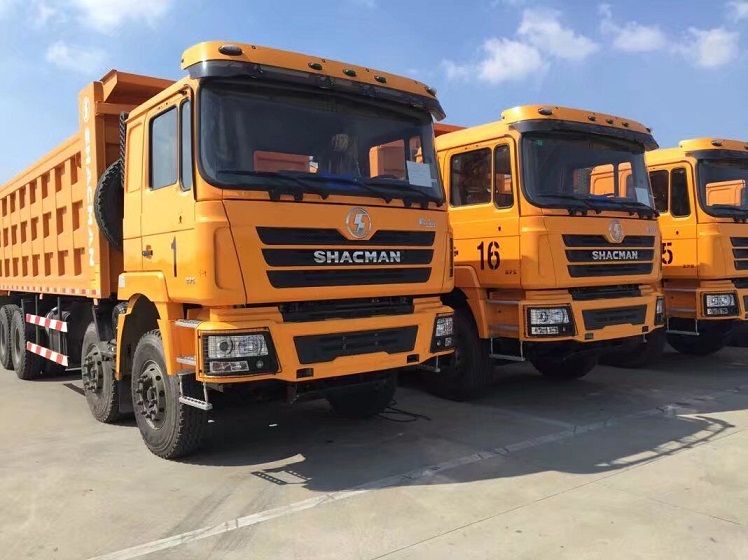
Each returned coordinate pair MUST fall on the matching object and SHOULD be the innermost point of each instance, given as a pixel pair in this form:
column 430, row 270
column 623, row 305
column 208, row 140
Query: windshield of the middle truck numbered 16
column 569, row 170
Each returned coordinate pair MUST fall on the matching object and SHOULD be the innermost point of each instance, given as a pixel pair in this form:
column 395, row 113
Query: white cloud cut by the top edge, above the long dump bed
column 107, row 16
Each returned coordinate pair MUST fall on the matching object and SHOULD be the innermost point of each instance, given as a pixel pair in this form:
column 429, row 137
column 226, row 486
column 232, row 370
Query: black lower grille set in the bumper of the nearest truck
column 326, row 347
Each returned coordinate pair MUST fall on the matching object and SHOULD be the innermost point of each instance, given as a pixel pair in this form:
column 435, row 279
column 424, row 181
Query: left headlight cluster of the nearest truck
column 240, row 354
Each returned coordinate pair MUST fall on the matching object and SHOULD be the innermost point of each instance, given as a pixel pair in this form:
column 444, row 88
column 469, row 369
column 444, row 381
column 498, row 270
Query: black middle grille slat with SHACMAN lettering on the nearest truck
column 313, row 257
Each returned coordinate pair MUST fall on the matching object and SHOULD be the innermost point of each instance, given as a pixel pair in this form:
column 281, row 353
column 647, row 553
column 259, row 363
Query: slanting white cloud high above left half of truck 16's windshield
column 543, row 29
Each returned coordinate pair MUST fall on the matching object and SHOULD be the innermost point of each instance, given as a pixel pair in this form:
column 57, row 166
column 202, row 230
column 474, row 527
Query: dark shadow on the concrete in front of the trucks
column 611, row 420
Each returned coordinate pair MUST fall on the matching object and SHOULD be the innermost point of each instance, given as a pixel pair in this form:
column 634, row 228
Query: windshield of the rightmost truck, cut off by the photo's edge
column 722, row 184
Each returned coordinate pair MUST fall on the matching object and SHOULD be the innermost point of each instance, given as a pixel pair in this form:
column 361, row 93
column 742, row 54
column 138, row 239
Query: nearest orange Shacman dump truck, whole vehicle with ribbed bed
column 235, row 228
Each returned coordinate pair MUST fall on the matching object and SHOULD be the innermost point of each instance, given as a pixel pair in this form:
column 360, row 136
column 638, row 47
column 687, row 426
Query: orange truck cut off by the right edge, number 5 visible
column 700, row 191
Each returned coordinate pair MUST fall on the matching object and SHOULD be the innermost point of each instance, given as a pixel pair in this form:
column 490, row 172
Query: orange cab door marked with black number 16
column 483, row 211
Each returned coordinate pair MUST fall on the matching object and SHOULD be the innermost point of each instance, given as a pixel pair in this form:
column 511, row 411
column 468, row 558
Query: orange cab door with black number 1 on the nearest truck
column 168, row 201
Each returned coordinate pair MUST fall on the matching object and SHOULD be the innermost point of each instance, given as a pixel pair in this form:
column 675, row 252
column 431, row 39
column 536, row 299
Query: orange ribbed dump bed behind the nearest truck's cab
column 49, row 239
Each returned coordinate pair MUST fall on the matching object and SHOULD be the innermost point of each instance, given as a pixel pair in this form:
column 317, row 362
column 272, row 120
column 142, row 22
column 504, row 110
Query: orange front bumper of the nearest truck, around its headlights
column 312, row 350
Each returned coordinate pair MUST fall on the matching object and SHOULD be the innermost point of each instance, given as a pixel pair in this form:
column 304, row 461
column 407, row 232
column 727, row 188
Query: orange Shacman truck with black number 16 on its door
column 556, row 242
